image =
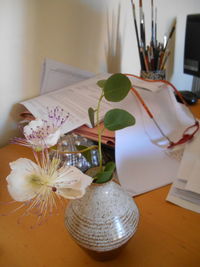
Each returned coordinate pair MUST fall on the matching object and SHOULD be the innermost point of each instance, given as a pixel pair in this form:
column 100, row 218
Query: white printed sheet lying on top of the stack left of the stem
column 74, row 99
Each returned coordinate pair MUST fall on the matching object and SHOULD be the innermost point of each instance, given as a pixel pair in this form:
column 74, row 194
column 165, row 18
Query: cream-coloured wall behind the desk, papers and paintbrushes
column 94, row 35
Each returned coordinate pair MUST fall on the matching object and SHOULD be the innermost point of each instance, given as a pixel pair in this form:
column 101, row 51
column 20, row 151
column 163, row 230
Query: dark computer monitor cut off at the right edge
column 192, row 45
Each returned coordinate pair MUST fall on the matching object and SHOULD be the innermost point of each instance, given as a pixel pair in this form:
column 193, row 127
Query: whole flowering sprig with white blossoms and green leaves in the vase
column 39, row 185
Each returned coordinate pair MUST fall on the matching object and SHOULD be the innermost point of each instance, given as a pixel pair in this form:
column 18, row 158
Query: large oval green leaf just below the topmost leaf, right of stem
column 116, row 119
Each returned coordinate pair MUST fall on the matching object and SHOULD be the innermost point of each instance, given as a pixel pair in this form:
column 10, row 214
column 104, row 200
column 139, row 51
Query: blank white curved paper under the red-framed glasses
column 142, row 165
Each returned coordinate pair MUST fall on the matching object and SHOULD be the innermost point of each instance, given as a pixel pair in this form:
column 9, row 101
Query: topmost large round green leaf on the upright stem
column 117, row 87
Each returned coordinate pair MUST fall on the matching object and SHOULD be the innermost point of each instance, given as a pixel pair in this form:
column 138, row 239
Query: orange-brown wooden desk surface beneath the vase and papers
column 167, row 236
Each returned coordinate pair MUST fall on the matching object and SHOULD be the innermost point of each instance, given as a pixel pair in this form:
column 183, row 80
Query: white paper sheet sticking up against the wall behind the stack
column 56, row 75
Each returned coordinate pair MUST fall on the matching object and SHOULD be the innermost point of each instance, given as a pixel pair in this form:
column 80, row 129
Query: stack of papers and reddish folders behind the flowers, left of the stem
column 74, row 90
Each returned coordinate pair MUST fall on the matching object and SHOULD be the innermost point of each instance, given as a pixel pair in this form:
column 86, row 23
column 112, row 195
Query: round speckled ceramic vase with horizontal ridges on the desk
column 103, row 220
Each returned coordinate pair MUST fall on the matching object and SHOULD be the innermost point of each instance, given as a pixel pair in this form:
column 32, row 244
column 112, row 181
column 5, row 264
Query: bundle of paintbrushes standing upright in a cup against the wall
column 153, row 57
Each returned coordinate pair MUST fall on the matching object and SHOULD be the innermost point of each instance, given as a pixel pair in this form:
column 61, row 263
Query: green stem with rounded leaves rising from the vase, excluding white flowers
column 114, row 89
